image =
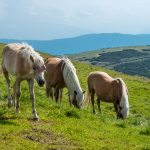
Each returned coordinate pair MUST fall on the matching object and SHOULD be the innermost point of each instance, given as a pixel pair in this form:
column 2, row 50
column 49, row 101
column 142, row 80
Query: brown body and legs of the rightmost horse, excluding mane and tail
column 106, row 89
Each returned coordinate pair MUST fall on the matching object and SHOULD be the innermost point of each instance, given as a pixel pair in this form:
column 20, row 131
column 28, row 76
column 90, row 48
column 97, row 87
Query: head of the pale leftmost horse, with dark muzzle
column 38, row 68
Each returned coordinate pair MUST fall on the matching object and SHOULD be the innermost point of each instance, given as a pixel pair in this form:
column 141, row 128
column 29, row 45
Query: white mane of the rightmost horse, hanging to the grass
column 124, row 104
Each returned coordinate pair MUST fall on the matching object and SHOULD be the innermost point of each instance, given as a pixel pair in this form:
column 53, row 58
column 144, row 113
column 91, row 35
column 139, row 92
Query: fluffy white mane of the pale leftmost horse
column 27, row 50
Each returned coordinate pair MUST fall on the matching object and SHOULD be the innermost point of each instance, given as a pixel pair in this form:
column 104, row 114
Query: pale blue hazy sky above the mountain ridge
column 55, row 19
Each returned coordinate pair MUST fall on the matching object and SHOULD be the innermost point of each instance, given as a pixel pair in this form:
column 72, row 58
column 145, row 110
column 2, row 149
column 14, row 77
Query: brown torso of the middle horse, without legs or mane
column 53, row 73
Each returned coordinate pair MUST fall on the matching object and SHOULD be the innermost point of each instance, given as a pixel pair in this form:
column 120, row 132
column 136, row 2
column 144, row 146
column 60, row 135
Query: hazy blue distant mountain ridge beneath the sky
column 85, row 42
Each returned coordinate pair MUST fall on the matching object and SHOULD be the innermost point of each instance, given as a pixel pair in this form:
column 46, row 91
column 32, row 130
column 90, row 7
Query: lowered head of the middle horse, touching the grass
column 76, row 98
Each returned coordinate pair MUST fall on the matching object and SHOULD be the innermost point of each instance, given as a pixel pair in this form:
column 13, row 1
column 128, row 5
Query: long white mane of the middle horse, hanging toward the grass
column 72, row 81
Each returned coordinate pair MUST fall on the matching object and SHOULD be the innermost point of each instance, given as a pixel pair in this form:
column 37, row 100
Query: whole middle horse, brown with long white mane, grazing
column 61, row 73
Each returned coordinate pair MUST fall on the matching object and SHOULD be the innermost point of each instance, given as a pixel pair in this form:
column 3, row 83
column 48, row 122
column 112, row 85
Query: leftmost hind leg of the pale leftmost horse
column 8, row 86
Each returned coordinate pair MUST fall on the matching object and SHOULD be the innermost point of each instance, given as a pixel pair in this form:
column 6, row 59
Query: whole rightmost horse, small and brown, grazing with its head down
column 108, row 89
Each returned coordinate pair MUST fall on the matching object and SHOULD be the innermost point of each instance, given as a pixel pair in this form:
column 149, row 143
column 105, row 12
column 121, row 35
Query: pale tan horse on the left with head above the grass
column 21, row 61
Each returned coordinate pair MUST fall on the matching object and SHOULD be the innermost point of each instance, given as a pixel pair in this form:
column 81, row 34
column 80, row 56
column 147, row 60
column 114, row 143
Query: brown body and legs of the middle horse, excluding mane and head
column 54, row 78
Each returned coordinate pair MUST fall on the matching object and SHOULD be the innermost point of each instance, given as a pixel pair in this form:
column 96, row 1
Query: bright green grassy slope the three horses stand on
column 65, row 127
